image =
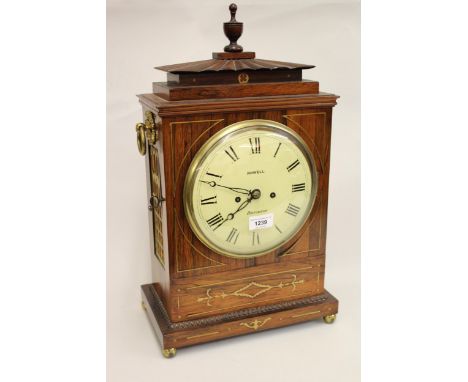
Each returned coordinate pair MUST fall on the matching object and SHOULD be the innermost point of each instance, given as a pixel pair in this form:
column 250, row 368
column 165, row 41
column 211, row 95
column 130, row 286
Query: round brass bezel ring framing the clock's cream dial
column 218, row 139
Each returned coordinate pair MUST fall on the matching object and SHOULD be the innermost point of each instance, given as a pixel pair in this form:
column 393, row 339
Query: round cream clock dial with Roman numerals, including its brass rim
column 250, row 188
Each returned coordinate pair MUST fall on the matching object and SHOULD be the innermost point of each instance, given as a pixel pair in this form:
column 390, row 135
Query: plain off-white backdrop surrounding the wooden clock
column 142, row 34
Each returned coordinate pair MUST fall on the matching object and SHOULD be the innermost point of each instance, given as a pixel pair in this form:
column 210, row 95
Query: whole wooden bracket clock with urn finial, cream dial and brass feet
column 237, row 152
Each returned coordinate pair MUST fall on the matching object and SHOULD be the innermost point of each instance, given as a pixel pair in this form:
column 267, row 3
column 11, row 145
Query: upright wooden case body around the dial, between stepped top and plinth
column 192, row 280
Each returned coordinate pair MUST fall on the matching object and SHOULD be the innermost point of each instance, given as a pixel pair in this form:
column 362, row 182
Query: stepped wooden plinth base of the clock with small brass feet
column 175, row 335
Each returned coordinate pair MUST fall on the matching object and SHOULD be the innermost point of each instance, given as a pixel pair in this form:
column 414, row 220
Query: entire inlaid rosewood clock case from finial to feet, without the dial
column 196, row 294
